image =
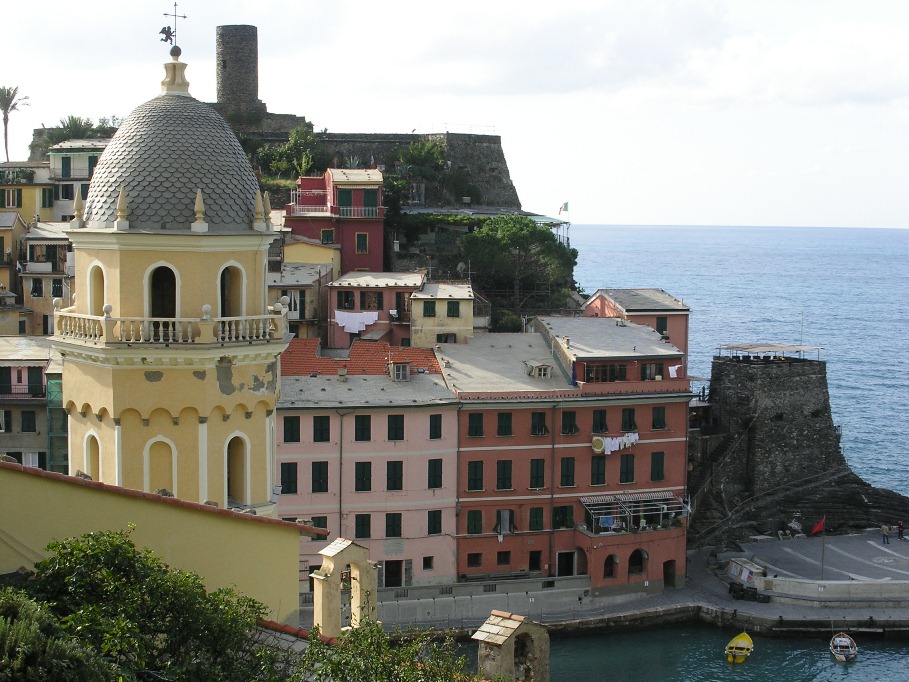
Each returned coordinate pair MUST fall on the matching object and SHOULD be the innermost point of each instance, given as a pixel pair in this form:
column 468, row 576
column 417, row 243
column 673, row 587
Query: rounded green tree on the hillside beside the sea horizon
column 514, row 252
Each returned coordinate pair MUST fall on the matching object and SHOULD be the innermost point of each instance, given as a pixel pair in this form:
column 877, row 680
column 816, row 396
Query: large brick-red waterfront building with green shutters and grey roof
column 572, row 454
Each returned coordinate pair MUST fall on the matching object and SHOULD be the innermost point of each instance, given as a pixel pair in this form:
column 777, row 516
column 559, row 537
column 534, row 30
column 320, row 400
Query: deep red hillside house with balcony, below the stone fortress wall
column 343, row 207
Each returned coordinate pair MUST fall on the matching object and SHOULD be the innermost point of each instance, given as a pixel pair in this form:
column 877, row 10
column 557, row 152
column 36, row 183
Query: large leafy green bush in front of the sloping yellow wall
column 148, row 620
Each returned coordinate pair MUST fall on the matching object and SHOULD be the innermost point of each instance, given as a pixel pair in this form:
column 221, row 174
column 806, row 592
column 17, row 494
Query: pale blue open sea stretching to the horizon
column 845, row 290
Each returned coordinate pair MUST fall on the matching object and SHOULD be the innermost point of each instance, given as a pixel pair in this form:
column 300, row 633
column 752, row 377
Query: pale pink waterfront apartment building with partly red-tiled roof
column 367, row 448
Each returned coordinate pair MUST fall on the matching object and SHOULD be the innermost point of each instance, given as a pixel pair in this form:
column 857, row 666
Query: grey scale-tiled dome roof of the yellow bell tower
column 163, row 152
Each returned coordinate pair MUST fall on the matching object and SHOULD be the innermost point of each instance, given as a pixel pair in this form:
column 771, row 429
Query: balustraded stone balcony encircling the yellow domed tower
column 105, row 330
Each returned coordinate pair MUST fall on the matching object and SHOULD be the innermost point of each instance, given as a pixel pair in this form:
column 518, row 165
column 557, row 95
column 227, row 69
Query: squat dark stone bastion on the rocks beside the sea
column 779, row 411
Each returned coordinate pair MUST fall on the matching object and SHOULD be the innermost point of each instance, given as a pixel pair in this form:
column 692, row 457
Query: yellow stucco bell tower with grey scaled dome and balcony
column 171, row 352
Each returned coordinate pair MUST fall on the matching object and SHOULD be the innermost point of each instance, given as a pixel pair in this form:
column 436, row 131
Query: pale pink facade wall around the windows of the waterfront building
column 342, row 503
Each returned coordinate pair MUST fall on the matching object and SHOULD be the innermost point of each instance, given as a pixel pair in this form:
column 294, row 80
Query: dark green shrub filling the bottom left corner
column 33, row 646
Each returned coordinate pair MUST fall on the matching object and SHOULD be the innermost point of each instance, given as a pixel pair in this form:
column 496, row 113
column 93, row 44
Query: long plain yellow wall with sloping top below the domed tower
column 258, row 558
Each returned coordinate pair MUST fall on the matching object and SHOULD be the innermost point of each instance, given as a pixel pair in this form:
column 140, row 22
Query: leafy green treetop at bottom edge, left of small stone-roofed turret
column 369, row 653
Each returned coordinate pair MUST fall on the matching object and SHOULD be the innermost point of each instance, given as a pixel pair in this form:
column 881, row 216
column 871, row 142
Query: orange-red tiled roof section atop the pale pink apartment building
column 366, row 357
